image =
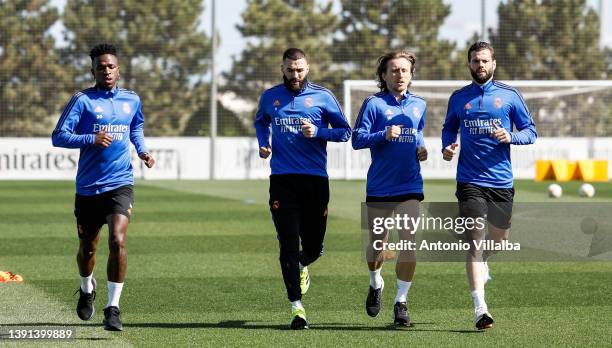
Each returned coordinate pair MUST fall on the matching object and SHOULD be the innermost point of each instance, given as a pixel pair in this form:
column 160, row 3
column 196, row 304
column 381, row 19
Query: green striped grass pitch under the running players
column 203, row 270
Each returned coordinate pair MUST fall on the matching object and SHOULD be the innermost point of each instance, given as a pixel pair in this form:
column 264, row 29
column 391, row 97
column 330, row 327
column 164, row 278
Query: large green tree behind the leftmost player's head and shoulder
column 162, row 54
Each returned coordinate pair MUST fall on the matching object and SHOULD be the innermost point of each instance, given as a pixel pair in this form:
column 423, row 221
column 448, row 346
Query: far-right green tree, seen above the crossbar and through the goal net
column 555, row 40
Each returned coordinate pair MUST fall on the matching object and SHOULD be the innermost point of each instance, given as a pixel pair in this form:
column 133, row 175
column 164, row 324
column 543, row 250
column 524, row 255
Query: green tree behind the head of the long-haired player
column 369, row 28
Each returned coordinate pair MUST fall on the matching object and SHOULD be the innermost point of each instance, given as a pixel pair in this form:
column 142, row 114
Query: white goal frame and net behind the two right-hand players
column 560, row 108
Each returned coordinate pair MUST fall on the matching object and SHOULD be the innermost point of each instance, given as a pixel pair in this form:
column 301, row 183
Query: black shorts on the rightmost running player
column 493, row 203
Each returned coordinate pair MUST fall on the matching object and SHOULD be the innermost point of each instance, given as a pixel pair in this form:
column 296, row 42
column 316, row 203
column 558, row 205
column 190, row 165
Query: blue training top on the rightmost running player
column 482, row 159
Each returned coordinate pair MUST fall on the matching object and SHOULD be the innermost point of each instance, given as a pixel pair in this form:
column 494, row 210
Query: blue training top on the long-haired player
column 395, row 168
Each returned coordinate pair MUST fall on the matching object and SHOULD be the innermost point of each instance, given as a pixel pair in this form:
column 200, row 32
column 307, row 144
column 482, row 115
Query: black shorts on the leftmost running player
column 91, row 211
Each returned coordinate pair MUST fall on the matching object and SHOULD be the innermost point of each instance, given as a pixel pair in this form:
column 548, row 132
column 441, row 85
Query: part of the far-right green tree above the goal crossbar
column 548, row 40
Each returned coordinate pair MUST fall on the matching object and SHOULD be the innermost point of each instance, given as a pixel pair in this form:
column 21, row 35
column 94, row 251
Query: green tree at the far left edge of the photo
column 31, row 78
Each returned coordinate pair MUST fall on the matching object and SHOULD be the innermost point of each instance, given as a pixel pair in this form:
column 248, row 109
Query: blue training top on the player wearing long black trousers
column 283, row 111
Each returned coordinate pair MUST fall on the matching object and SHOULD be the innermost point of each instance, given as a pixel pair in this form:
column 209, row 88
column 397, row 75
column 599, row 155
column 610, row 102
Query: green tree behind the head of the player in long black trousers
column 272, row 26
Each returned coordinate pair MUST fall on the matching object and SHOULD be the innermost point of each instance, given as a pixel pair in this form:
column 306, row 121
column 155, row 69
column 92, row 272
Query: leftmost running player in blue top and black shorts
column 101, row 121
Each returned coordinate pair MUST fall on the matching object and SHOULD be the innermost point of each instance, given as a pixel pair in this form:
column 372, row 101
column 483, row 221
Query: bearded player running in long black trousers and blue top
column 298, row 112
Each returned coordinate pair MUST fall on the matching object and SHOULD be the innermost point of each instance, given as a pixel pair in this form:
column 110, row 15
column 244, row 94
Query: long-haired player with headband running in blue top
column 390, row 123
